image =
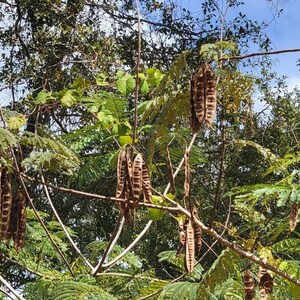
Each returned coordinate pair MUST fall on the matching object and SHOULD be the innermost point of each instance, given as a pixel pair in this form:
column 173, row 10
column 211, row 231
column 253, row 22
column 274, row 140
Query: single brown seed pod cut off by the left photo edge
column 6, row 203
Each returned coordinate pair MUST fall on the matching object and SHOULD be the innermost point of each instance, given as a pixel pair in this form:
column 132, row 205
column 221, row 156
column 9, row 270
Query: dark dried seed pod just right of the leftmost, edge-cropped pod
column 19, row 233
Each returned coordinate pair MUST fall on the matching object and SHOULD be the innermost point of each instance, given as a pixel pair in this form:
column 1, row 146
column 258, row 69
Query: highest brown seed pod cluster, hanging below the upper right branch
column 203, row 97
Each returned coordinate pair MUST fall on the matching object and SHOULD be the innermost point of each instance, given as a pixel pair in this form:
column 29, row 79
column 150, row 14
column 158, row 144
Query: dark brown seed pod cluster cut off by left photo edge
column 13, row 212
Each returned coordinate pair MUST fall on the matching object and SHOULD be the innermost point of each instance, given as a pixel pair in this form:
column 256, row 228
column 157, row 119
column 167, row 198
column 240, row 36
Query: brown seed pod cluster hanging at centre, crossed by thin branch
column 132, row 181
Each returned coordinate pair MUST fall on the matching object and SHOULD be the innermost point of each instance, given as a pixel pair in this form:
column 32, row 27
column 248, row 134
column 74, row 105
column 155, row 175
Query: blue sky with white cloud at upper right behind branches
column 284, row 31
